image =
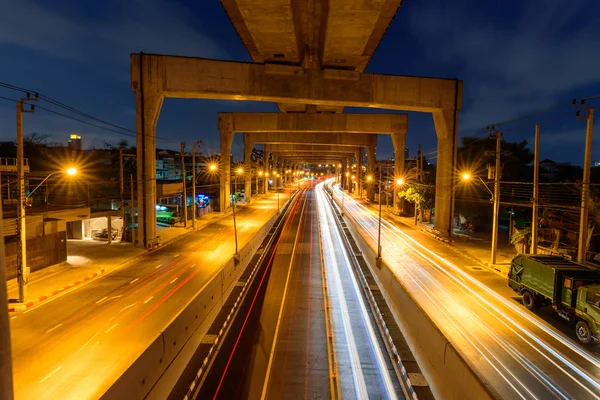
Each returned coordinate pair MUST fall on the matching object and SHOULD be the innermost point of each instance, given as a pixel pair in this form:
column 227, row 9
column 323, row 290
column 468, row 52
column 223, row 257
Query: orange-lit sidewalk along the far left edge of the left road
column 88, row 259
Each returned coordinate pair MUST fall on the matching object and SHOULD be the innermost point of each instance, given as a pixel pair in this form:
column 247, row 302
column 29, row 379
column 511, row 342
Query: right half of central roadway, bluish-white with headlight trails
column 364, row 368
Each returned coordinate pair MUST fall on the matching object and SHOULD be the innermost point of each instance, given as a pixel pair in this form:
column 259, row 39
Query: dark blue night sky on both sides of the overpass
column 515, row 57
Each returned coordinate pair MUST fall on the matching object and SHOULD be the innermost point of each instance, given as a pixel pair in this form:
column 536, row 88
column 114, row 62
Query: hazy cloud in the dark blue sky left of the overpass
column 106, row 34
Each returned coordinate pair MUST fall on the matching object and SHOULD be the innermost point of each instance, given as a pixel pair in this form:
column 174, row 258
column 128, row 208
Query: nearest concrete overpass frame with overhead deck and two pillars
column 307, row 57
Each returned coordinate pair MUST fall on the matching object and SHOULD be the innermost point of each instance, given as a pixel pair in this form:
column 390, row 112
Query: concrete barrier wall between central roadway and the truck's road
column 448, row 373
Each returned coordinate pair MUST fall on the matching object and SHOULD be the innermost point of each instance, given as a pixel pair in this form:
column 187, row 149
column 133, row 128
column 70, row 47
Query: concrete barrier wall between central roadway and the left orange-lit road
column 156, row 370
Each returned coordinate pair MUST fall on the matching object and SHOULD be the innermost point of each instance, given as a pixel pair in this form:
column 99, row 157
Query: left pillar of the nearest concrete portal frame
column 148, row 102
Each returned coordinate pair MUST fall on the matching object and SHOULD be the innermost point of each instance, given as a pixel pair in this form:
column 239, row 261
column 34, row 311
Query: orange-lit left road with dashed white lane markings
column 77, row 344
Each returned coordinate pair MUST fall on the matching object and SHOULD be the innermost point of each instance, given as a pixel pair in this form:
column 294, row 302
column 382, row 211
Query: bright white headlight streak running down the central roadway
column 327, row 221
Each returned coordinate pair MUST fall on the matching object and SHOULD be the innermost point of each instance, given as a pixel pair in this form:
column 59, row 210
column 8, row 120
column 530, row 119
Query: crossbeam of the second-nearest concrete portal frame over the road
column 324, row 123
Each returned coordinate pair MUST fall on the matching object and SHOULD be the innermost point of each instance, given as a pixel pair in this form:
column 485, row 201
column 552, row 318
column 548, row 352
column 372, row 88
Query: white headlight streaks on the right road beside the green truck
column 366, row 218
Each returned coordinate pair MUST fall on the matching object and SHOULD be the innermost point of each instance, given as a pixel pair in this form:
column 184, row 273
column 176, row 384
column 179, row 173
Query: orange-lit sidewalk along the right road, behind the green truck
column 476, row 247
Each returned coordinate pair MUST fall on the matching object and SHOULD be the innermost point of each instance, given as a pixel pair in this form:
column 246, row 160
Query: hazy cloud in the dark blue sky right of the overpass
column 514, row 57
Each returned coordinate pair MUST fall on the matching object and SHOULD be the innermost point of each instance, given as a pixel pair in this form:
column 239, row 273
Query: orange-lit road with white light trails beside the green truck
column 517, row 352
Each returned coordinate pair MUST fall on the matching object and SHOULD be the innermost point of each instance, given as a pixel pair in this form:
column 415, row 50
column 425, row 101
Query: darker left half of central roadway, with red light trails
column 278, row 347
